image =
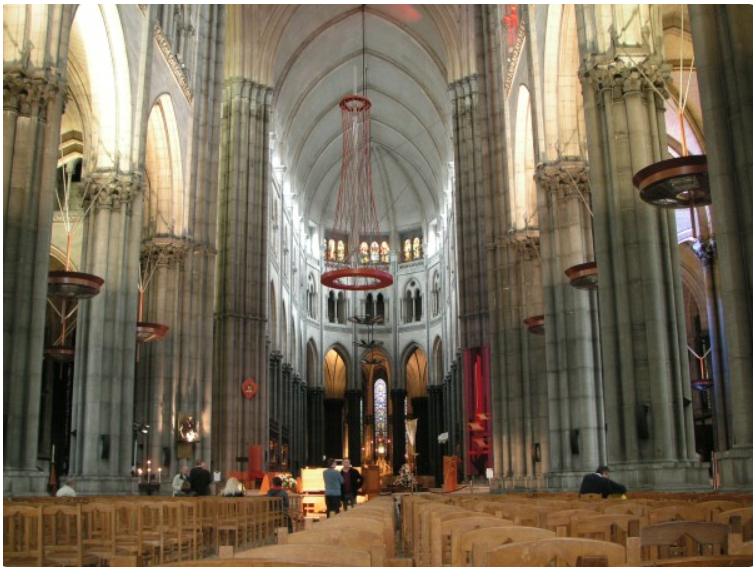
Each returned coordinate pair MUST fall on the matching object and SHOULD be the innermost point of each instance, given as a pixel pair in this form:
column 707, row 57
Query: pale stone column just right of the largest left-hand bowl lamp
column 103, row 404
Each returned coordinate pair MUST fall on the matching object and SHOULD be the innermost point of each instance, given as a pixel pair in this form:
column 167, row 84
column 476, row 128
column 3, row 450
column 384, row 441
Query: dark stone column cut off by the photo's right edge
column 723, row 45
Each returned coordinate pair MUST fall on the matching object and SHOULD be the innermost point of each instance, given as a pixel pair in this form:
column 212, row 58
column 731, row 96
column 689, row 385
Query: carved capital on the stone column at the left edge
column 29, row 93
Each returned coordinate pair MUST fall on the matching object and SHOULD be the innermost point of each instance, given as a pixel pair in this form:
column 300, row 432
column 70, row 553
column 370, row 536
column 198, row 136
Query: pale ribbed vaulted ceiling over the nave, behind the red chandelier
column 400, row 56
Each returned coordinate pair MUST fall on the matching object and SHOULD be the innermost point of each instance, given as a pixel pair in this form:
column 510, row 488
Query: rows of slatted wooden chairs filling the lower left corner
column 141, row 531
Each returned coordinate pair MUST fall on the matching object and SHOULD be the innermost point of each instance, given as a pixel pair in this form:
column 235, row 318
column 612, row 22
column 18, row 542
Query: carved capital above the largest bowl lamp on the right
column 624, row 77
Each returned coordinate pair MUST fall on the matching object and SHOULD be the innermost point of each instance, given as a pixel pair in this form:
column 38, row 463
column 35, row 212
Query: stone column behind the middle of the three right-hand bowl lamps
column 573, row 361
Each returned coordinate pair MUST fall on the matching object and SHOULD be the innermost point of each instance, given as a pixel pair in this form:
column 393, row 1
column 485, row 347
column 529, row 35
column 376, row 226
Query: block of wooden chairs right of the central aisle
column 443, row 529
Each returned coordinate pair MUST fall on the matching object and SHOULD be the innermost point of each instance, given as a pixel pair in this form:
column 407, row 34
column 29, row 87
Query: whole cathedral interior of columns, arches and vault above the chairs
column 561, row 201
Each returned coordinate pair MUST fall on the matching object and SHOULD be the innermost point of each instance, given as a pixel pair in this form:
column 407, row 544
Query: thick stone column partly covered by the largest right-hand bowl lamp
column 650, row 439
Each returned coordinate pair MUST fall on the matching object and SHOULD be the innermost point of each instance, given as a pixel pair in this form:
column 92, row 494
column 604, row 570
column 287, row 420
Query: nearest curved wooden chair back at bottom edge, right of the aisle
column 553, row 552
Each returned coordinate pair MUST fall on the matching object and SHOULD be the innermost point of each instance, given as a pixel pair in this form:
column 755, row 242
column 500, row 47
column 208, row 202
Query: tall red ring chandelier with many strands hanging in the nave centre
column 355, row 220
